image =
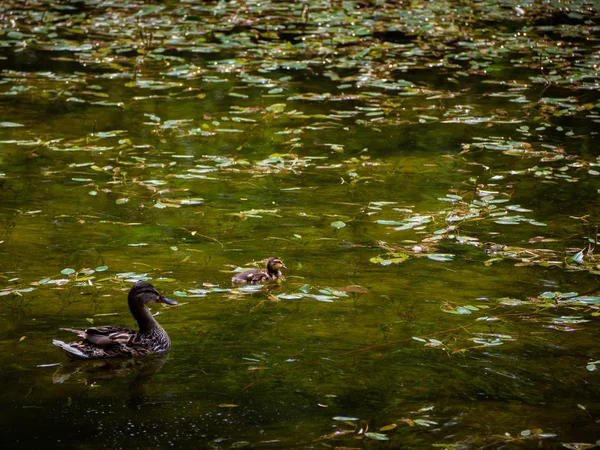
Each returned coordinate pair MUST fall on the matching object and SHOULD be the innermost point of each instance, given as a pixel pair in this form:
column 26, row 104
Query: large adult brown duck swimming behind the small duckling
column 116, row 341
